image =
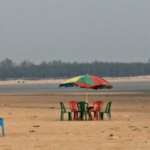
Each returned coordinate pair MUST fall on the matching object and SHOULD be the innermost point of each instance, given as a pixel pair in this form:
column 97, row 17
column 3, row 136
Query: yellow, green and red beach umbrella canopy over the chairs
column 87, row 81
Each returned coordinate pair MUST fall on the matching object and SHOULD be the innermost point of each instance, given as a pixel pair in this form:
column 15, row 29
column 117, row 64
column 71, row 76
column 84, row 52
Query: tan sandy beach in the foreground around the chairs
column 32, row 123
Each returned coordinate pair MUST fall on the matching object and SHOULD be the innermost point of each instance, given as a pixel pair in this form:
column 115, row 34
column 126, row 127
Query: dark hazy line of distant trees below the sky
column 59, row 69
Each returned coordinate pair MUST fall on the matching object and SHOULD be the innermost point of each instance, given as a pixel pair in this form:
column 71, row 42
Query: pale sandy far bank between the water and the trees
column 145, row 78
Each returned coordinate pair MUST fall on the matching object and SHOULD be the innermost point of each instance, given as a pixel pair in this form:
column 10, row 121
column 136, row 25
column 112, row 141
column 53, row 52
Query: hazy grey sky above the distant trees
column 75, row 30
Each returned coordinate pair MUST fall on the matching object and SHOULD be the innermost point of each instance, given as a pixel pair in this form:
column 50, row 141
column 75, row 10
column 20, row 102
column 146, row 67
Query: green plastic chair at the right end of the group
column 107, row 111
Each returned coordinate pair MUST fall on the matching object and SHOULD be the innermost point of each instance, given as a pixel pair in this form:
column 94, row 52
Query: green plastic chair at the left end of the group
column 63, row 111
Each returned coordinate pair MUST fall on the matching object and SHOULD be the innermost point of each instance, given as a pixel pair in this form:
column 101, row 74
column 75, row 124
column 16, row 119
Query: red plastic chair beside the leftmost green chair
column 74, row 108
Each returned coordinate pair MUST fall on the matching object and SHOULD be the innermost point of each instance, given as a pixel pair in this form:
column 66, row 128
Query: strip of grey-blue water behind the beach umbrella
column 32, row 88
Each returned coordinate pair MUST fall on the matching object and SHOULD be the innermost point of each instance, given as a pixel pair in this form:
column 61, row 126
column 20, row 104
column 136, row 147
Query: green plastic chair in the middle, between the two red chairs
column 82, row 105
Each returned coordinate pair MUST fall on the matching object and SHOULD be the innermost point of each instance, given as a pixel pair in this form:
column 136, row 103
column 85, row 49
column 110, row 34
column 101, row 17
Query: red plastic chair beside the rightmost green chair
column 97, row 106
